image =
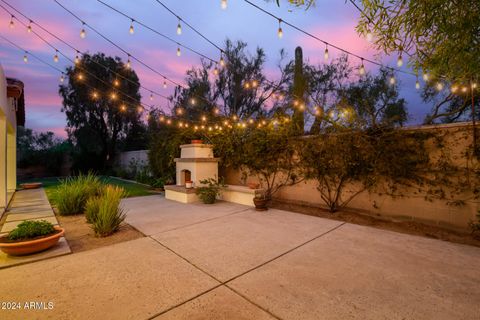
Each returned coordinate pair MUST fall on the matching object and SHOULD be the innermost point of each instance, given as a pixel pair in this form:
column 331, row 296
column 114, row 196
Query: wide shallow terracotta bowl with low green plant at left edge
column 31, row 237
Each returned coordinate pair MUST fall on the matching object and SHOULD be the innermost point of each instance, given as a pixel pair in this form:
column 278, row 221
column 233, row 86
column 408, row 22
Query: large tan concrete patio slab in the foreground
column 226, row 261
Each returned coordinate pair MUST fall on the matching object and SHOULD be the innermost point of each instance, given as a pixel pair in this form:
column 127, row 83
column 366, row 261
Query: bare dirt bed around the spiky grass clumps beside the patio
column 81, row 237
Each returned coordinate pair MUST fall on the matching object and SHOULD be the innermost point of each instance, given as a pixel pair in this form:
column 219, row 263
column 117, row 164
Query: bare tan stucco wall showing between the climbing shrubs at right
column 410, row 203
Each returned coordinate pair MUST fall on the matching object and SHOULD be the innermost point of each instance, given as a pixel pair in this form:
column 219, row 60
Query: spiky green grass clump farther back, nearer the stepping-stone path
column 72, row 194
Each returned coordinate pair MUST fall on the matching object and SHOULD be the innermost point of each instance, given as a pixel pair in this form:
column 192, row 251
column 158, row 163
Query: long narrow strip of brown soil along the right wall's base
column 408, row 227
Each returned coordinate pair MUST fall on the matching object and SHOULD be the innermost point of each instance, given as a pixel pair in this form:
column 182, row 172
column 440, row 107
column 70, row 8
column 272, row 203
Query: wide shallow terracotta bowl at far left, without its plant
column 31, row 246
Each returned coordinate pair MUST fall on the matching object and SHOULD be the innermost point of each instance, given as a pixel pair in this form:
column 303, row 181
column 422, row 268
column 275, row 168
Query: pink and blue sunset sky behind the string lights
column 331, row 20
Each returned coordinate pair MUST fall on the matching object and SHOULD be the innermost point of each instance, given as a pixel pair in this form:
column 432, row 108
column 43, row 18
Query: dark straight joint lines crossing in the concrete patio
column 225, row 283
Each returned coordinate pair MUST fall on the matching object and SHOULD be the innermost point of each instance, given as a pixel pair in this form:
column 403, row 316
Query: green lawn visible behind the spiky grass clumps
column 133, row 189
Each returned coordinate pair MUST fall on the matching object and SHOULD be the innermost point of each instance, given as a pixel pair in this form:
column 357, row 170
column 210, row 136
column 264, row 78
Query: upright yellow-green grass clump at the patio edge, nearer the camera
column 110, row 215
